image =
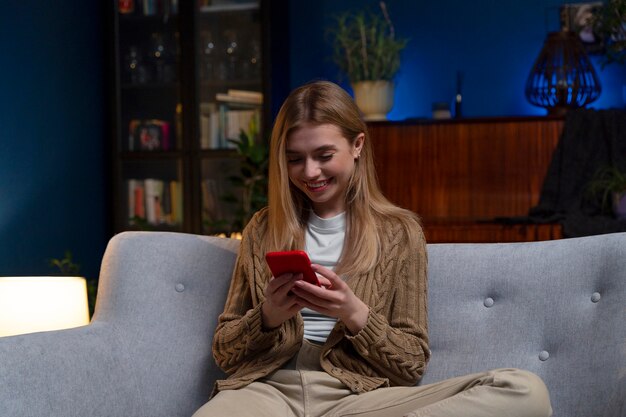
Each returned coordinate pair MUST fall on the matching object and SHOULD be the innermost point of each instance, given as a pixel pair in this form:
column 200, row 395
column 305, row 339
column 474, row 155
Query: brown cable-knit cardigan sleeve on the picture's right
column 394, row 341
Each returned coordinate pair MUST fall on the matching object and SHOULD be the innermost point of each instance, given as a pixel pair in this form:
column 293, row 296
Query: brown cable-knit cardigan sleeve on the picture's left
column 240, row 339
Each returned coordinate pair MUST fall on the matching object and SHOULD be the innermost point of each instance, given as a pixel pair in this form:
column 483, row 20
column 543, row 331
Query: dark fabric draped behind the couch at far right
column 591, row 139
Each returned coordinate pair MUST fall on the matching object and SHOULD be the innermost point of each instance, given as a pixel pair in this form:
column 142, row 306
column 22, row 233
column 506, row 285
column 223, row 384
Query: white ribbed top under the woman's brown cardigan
column 323, row 243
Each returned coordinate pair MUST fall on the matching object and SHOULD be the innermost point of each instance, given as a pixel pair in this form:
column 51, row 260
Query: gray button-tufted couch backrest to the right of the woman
column 557, row 308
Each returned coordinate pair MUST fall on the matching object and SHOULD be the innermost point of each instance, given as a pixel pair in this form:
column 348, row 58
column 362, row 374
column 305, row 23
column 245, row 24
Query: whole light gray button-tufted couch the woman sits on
column 556, row 308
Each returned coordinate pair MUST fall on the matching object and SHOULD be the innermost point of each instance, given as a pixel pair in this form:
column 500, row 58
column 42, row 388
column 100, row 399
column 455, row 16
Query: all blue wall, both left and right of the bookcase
column 53, row 148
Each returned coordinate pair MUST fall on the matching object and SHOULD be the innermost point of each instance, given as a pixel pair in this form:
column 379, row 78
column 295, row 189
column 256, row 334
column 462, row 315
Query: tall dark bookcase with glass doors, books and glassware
column 186, row 77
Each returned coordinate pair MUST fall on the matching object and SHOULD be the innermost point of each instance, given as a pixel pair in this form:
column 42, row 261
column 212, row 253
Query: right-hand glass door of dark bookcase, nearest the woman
column 230, row 102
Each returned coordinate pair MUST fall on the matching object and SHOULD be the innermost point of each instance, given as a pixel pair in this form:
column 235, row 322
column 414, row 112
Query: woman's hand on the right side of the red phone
column 336, row 300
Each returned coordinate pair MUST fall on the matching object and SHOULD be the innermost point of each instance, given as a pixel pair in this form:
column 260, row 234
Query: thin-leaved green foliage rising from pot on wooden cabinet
column 365, row 46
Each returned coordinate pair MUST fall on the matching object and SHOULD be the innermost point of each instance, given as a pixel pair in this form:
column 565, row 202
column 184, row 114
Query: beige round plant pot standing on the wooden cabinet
column 374, row 98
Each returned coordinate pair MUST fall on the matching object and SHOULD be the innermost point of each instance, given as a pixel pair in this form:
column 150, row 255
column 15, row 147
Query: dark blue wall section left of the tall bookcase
column 52, row 140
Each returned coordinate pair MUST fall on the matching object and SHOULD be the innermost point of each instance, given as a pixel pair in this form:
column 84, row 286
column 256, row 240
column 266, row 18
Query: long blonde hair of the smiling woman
column 315, row 104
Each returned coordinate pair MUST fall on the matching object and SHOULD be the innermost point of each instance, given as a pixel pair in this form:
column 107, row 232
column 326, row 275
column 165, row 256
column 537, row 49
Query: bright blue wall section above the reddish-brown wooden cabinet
column 493, row 42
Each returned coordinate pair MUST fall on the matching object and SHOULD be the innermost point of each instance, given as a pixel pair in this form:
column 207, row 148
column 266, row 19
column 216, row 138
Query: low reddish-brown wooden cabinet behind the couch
column 462, row 175
